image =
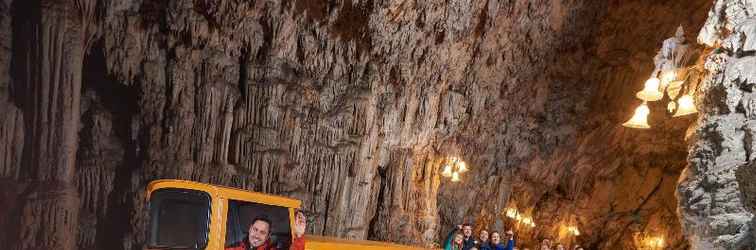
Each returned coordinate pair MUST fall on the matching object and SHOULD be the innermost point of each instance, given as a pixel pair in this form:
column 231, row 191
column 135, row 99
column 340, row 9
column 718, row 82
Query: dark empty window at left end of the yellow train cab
column 179, row 219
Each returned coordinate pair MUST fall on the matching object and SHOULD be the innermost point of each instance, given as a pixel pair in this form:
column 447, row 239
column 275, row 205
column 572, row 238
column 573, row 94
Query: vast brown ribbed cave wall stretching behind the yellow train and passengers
column 351, row 105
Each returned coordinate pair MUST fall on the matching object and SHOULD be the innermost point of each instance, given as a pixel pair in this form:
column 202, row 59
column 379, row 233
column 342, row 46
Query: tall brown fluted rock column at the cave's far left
column 48, row 53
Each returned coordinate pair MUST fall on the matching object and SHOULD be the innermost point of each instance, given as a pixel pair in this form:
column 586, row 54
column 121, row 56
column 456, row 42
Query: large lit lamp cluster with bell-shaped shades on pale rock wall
column 670, row 77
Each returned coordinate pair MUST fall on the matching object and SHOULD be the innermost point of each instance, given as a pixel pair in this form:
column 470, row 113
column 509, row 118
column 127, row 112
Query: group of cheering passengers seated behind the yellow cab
column 461, row 238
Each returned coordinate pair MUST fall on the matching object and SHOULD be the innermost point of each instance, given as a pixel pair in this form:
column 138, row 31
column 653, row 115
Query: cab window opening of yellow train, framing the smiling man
column 240, row 217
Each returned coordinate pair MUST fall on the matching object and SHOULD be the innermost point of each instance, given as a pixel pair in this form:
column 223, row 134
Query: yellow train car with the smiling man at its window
column 192, row 215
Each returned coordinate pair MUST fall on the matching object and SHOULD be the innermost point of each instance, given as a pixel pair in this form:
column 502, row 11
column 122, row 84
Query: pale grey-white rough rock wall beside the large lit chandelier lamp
column 716, row 190
